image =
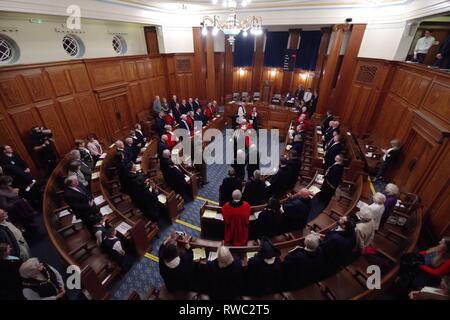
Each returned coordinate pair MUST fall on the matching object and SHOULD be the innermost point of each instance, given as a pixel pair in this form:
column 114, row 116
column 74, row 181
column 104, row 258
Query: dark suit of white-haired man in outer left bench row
column 78, row 201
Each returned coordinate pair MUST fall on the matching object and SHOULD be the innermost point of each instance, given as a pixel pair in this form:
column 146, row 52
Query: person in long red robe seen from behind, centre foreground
column 236, row 216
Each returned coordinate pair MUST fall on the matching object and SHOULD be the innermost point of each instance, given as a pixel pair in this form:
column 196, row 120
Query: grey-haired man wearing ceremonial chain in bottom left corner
column 41, row 281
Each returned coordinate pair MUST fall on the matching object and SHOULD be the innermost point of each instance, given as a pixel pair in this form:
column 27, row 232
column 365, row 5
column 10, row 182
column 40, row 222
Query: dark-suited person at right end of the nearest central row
column 338, row 245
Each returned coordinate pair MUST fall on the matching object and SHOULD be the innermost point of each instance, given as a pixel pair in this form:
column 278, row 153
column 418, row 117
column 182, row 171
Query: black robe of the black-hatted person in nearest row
column 262, row 278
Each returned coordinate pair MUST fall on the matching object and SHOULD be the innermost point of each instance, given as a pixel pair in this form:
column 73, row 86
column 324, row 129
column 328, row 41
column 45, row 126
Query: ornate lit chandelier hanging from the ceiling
column 231, row 26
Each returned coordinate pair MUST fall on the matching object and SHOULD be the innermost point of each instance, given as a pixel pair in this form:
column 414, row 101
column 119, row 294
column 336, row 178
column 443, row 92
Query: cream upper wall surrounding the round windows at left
column 41, row 43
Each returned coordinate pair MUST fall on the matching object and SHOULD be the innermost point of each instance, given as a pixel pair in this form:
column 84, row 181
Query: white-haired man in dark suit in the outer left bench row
column 80, row 201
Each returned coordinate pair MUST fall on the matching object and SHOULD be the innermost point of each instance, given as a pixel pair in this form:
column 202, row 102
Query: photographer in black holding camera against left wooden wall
column 42, row 140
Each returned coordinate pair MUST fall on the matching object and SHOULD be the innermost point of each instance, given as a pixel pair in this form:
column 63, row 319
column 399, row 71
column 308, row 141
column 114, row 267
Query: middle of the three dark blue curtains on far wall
column 276, row 45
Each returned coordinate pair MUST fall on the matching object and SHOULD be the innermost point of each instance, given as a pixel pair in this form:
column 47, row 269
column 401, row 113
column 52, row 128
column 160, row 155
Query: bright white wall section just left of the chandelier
column 177, row 39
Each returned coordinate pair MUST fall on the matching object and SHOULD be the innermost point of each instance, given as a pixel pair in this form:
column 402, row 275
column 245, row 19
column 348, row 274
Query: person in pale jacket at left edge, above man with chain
column 11, row 235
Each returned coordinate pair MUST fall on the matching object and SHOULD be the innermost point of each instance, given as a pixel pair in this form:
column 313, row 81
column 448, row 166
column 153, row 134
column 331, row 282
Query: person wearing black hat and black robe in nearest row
column 263, row 273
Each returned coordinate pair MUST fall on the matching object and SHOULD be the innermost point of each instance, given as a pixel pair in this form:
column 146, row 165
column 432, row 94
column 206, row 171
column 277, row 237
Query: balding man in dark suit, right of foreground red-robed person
column 296, row 211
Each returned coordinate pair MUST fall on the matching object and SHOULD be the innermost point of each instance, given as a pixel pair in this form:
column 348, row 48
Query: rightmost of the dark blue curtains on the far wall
column 308, row 50
